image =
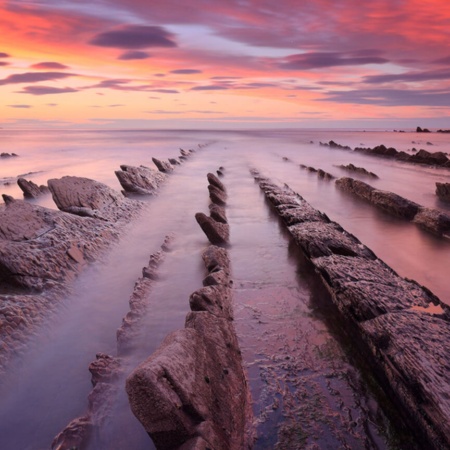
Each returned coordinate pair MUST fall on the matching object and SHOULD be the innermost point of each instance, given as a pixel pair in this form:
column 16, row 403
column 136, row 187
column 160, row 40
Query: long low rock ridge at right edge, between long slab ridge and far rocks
column 431, row 220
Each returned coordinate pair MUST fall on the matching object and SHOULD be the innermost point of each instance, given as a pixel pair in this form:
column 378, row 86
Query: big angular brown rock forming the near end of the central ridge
column 192, row 392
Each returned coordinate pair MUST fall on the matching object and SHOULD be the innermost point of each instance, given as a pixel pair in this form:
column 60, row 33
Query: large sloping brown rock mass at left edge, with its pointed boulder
column 42, row 250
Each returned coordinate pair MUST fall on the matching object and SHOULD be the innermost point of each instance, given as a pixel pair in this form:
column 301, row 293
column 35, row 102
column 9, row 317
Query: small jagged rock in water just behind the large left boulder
column 139, row 180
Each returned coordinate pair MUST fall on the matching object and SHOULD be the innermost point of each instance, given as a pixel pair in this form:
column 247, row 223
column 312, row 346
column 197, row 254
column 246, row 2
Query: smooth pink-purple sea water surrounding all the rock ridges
column 281, row 310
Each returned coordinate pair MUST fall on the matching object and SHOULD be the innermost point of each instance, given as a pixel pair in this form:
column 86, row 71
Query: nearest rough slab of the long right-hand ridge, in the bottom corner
column 413, row 350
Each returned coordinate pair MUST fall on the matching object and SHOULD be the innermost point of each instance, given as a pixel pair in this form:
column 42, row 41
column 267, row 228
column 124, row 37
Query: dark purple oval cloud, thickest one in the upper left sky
column 135, row 37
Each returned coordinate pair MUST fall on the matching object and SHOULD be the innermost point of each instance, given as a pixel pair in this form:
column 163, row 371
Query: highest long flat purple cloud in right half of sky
column 319, row 60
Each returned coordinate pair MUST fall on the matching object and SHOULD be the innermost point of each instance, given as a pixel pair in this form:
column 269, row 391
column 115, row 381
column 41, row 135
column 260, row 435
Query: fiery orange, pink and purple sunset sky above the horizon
column 224, row 64
